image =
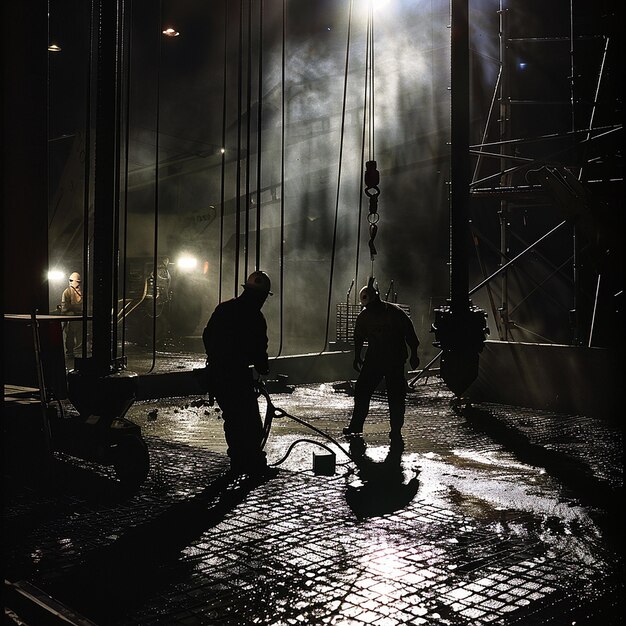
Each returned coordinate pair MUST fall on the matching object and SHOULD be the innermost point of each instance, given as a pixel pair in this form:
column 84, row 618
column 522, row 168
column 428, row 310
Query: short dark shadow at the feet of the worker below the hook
column 384, row 488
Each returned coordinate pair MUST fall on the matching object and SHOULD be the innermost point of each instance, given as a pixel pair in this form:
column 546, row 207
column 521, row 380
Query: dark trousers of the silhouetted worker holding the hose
column 243, row 426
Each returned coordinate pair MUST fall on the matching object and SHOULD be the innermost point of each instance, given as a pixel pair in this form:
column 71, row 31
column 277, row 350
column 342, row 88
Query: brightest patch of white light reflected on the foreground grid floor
column 385, row 572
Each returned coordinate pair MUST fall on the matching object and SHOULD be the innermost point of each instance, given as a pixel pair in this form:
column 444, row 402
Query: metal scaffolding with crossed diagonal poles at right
column 561, row 182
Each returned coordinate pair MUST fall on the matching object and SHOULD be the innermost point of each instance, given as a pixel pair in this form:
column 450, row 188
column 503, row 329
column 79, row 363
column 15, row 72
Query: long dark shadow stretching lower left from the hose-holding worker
column 150, row 557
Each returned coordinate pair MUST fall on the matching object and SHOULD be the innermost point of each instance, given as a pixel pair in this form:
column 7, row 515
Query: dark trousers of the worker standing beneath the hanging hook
column 370, row 376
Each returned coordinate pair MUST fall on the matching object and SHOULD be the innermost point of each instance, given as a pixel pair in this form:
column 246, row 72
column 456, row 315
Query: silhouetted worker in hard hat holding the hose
column 235, row 340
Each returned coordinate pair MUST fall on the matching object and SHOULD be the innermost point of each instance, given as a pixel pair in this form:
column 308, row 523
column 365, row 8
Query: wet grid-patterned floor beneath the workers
column 499, row 516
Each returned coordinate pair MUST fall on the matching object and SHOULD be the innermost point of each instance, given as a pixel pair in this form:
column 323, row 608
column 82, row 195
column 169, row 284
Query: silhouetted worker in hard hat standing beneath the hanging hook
column 388, row 330
